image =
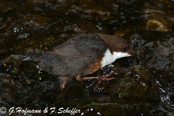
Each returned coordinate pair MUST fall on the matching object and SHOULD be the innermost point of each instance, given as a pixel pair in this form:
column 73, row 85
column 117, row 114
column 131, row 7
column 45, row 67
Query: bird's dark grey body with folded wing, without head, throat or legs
column 85, row 50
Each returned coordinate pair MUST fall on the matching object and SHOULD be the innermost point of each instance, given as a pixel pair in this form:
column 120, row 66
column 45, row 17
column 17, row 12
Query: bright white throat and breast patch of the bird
column 110, row 58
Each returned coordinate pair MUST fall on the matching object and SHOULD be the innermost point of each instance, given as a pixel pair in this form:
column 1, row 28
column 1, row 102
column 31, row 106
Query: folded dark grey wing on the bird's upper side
column 81, row 46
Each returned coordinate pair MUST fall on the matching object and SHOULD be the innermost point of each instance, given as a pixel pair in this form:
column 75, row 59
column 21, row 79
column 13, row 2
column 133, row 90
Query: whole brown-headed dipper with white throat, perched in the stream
column 82, row 55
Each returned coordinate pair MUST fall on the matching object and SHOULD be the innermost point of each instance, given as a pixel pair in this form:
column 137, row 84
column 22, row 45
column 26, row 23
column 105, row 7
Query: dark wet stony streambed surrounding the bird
column 142, row 84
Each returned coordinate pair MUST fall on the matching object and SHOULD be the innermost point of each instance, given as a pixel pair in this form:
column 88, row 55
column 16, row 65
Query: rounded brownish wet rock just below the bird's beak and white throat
column 136, row 82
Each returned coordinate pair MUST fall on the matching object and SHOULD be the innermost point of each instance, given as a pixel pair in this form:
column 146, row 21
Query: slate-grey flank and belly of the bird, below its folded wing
column 63, row 65
